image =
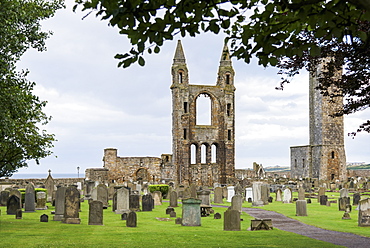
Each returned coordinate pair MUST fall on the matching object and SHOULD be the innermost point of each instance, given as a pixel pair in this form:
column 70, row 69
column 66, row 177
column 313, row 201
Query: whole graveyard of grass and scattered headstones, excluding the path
column 88, row 222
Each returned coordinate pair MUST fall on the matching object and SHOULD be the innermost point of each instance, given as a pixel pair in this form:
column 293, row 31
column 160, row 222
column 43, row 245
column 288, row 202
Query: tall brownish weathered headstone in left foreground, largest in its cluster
column 71, row 206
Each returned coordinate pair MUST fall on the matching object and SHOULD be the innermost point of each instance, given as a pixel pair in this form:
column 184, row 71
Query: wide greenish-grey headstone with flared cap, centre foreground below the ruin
column 191, row 212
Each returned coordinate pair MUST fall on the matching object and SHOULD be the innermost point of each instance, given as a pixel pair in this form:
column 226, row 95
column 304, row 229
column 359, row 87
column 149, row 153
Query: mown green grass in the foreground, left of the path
column 150, row 232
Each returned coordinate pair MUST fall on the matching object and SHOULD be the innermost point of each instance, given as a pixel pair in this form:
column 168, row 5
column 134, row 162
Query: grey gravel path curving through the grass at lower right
column 287, row 224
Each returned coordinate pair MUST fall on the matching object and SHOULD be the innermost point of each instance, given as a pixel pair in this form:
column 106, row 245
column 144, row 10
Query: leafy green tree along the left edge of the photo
column 21, row 116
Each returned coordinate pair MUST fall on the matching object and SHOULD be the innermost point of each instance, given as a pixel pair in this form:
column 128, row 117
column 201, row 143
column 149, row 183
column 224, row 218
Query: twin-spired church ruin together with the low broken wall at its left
column 202, row 154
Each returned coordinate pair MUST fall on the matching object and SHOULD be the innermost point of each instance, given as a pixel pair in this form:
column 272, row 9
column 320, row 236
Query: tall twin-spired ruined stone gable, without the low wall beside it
column 203, row 154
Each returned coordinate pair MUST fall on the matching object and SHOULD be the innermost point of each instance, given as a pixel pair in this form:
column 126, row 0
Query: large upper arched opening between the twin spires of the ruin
column 203, row 109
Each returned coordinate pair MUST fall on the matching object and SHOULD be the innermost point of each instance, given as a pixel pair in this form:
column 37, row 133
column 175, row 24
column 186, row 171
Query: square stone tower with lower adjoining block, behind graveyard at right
column 324, row 158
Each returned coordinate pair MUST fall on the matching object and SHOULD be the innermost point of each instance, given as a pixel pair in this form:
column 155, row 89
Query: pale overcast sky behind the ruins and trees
column 96, row 105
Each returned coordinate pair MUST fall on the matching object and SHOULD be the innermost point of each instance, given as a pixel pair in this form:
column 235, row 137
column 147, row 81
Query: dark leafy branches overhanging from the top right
column 288, row 34
